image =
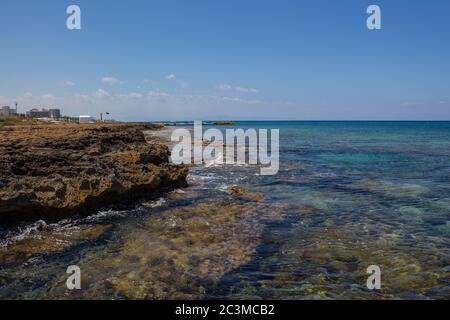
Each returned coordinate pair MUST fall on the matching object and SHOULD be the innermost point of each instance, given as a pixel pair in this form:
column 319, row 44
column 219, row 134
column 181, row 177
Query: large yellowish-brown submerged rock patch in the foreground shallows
column 182, row 253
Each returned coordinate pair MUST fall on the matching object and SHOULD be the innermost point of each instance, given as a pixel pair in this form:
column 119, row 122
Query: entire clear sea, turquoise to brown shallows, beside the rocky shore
column 348, row 195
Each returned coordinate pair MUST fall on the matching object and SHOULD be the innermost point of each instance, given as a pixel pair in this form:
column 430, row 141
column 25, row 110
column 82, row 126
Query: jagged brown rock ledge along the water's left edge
column 57, row 170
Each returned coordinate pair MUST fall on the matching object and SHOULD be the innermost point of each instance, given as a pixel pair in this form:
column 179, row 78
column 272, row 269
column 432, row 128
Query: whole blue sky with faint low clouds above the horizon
column 235, row 59
